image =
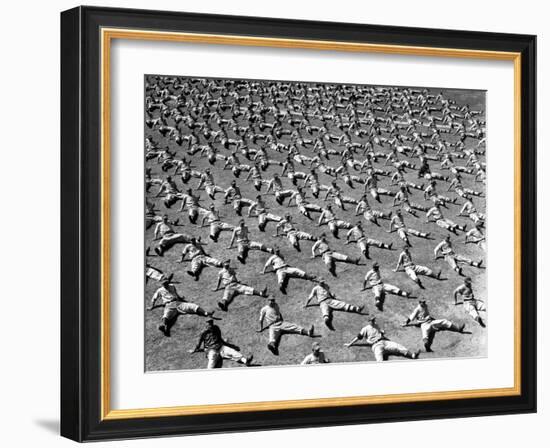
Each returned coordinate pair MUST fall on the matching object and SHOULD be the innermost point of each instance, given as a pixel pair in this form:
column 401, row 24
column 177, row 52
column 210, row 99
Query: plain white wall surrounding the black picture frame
column 29, row 334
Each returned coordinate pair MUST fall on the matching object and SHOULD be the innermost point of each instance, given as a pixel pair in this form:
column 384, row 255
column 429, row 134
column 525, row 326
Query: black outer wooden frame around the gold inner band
column 81, row 223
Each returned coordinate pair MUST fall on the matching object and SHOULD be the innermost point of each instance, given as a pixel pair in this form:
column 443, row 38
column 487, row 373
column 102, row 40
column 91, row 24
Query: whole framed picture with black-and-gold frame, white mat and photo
column 277, row 224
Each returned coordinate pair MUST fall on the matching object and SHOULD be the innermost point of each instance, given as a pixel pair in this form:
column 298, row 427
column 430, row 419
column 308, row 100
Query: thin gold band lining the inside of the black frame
column 107, row 35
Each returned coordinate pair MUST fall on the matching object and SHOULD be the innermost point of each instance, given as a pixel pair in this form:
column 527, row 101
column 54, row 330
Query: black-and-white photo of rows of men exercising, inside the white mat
column 296, row 223
